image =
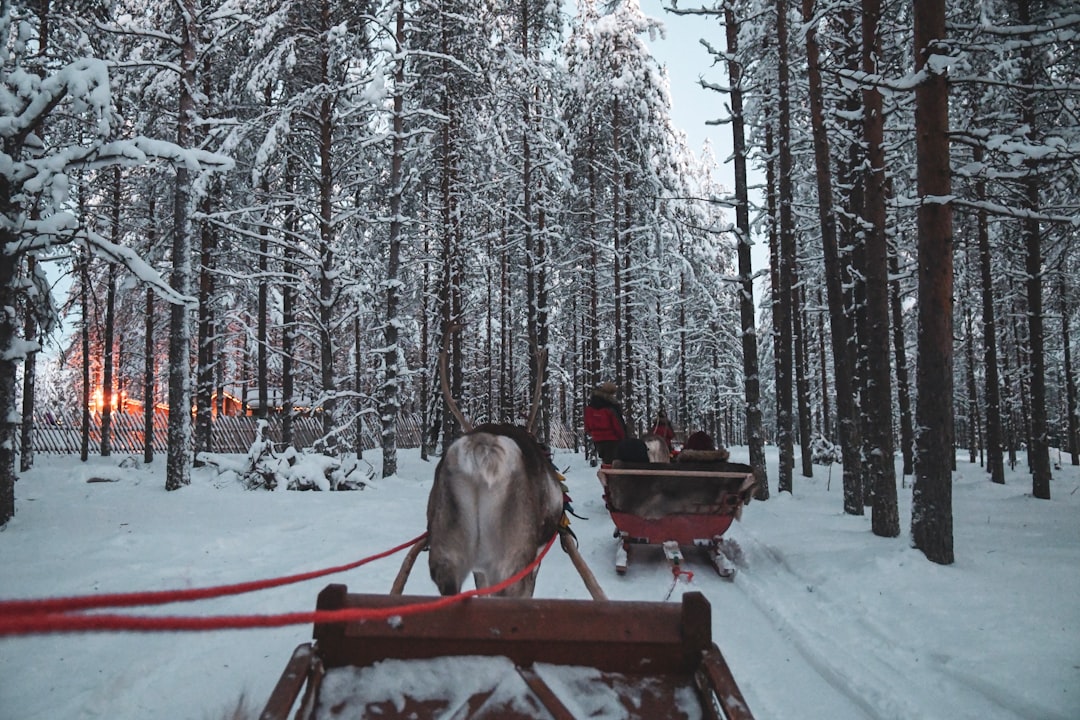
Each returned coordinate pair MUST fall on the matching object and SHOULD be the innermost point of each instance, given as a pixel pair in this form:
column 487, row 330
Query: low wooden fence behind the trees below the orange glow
column 60, row 432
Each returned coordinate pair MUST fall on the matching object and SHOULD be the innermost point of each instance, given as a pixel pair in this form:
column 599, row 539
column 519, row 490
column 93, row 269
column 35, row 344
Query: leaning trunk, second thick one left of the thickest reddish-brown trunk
column 841, row 331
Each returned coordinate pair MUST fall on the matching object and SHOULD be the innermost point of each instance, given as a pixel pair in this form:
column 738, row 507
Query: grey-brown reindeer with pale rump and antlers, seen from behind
column 495, row 502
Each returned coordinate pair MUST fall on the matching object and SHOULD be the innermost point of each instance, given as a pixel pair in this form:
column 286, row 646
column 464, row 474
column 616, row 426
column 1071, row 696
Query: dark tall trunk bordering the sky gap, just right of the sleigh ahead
column 752, row 387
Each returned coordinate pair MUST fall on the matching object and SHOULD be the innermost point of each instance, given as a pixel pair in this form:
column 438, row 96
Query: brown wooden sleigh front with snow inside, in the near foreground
column 511, row 658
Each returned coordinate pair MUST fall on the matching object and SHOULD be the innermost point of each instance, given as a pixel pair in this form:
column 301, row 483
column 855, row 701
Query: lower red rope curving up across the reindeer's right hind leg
column 46, row 623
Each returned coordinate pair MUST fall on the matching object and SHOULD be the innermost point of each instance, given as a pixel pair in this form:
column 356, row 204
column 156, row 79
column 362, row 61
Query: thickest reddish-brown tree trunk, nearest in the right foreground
column 933, row 492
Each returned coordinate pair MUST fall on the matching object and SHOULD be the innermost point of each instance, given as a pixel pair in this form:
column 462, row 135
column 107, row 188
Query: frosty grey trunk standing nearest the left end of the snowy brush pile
column 179, row 464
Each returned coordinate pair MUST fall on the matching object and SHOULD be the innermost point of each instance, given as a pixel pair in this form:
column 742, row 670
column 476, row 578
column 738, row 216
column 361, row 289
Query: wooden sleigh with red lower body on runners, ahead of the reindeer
column 676, row 506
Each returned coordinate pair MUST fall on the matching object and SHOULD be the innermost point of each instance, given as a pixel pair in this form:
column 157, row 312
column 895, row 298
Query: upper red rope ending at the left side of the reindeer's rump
column 52, row 606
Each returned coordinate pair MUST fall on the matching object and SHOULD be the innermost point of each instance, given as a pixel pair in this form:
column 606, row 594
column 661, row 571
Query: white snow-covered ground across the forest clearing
column 827, row 621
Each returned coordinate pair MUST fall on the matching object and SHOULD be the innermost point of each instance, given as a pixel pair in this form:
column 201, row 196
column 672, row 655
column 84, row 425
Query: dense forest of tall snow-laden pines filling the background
column 299, row 199
